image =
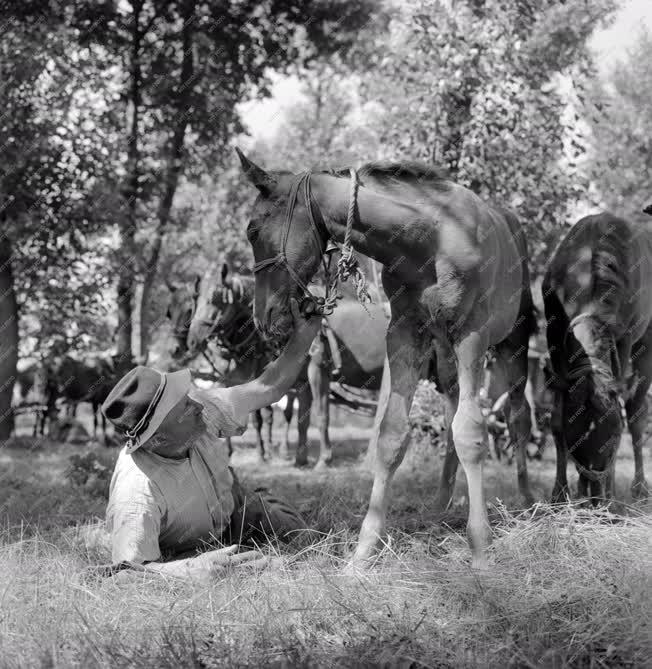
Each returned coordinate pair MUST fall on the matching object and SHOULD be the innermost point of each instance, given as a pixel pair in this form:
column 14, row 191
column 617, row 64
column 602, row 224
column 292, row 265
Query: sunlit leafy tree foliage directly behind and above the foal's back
column 473, row 86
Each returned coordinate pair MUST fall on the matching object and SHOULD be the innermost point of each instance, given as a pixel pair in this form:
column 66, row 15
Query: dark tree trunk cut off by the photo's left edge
column 8, row 338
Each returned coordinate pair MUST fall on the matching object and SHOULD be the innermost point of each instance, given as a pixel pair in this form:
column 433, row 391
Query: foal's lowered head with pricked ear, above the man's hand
column 287, row 243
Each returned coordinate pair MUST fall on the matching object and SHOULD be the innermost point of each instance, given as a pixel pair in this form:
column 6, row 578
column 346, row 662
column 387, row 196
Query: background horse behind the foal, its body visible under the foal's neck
column 225, row 308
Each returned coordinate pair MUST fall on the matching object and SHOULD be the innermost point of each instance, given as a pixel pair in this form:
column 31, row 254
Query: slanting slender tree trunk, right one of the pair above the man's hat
column 174, row 170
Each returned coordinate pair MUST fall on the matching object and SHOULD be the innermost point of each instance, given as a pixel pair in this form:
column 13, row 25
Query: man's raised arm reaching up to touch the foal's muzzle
column 279, row 376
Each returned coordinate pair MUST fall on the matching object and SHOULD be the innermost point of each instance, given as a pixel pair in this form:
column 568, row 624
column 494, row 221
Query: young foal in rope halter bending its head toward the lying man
column 455, row 270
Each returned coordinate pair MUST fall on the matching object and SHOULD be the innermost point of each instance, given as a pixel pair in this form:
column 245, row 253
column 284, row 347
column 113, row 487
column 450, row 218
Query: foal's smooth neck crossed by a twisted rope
column 379, row 230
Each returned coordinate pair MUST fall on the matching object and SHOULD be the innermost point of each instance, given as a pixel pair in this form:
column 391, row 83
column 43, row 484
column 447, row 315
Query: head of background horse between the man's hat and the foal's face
column 222, row 308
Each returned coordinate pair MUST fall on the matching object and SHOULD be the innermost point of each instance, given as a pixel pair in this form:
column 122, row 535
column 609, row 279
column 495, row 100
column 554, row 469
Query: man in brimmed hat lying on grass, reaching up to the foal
column 172, row 493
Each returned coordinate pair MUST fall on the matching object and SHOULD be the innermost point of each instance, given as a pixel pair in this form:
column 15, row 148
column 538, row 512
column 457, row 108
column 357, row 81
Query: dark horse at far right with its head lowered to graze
column 597, row 294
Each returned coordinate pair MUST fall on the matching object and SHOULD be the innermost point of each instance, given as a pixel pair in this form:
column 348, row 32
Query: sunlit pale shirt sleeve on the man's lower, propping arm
column 133, row 519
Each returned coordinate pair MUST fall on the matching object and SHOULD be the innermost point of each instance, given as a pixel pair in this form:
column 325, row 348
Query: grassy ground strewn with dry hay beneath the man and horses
column 566, row 586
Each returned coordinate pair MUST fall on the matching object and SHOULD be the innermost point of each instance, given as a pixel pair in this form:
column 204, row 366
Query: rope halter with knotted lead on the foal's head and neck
column 347, row 265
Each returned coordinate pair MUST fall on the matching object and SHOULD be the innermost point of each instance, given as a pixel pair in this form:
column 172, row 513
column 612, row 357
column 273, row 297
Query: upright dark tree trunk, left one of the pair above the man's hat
column 127, row 270
